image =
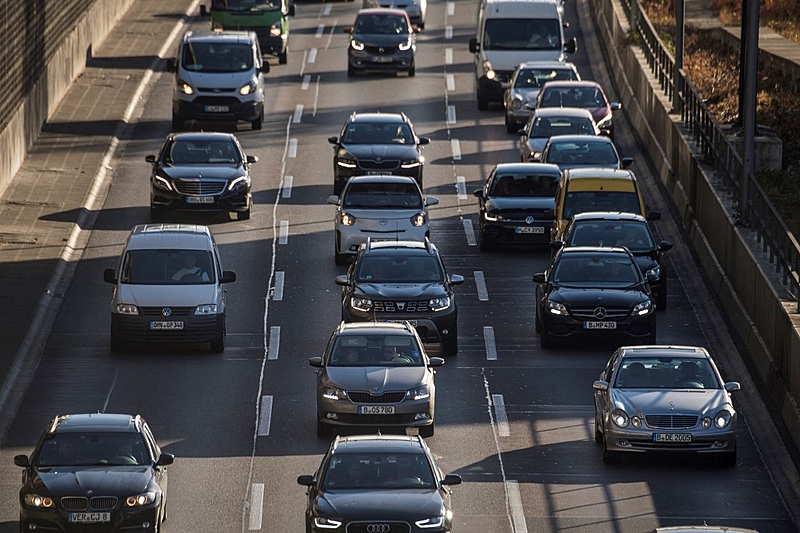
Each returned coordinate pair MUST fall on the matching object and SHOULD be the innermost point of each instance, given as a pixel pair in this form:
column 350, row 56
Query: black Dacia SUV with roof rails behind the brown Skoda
column 403, row 281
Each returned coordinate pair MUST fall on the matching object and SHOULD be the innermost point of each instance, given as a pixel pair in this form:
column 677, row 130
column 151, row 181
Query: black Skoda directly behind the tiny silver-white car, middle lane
column 377, row 143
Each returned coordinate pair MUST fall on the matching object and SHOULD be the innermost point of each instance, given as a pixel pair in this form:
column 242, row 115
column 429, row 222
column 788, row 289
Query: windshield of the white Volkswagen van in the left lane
column 167, row 267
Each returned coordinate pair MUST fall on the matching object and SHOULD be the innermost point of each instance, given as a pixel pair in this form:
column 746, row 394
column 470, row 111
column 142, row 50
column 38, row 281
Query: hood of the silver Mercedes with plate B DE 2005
column 677, row 401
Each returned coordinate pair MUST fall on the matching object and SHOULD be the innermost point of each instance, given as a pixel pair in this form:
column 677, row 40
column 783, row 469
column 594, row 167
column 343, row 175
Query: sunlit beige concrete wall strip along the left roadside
column 66, row 65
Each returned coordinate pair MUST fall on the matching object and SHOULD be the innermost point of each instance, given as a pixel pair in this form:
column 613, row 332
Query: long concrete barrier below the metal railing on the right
column 728, row 254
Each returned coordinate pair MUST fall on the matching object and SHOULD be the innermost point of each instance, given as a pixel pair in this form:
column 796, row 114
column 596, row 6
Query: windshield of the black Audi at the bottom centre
column 378, row 471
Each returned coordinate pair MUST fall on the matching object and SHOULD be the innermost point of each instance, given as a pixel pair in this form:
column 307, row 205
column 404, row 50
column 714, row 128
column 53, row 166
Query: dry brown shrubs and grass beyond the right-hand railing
column 714, row 71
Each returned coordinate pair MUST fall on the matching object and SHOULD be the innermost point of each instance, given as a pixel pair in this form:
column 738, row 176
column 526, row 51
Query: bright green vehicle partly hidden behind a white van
column 268, row 18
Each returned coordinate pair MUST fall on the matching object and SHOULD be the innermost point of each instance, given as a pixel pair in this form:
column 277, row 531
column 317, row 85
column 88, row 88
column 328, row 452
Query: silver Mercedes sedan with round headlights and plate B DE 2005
column 664, row 399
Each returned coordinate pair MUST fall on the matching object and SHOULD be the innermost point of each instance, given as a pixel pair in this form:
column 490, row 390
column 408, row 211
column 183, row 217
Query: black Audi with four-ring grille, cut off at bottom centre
column 379, row 483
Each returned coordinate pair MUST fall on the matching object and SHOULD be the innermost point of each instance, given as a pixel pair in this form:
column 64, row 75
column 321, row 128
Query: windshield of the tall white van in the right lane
column 521, row 34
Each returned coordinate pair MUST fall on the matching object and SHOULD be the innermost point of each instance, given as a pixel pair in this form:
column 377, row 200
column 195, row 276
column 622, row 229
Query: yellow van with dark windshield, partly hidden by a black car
column 597, row 189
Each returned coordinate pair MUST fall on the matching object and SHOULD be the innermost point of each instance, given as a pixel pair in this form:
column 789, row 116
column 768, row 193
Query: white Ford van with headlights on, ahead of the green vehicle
column 218, row 77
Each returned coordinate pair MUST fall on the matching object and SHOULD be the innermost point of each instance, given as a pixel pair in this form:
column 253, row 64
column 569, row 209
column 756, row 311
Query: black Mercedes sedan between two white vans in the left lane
column 204, row 171
